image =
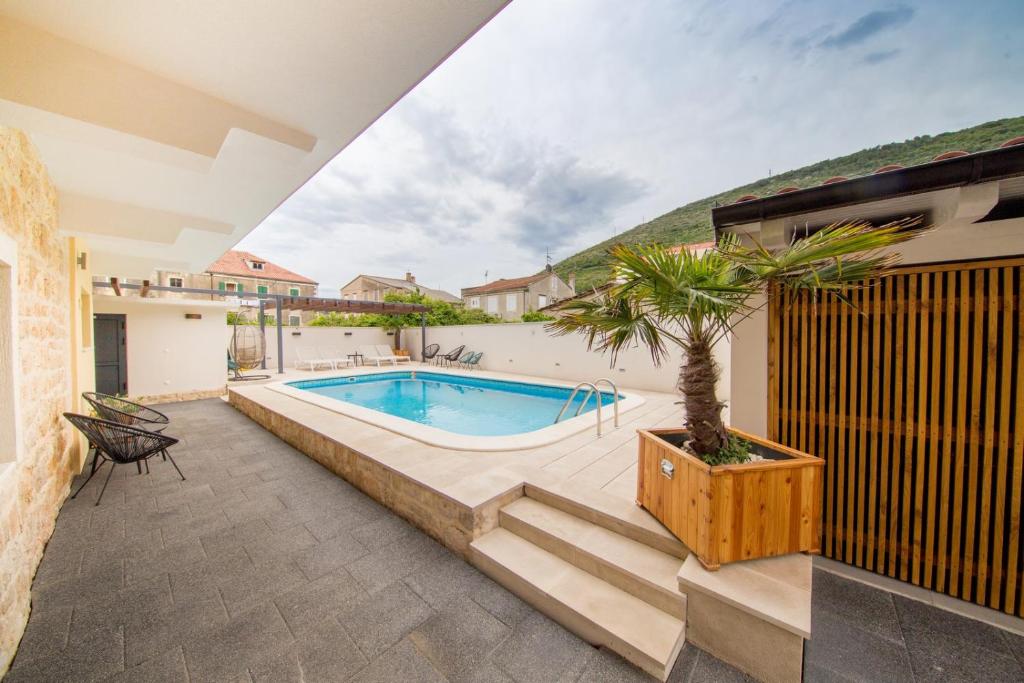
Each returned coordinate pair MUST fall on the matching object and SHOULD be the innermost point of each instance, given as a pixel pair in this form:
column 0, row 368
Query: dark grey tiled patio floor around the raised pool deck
column 265, row 567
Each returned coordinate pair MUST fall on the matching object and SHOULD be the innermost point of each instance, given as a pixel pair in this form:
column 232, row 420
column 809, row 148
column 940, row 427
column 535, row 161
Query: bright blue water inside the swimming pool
column 461, row 405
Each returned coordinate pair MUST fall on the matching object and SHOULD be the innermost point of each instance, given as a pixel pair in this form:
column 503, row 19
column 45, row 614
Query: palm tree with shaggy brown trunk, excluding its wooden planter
column 664, row 297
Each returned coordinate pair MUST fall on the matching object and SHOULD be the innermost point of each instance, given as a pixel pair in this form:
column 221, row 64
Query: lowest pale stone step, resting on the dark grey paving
column 592, row 609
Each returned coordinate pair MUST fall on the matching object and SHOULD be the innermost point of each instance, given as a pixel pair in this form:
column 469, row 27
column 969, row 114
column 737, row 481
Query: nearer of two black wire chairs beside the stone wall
column 120, row 445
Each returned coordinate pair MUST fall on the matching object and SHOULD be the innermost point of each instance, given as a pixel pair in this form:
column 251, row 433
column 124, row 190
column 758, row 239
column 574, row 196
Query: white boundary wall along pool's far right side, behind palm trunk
column 527, row 349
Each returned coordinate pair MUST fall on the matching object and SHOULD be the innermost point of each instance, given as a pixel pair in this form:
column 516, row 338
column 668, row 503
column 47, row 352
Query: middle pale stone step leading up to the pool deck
column 627, row 565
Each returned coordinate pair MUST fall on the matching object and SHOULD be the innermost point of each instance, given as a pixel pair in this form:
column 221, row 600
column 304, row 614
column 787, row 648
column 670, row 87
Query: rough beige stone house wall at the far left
column 34, row 486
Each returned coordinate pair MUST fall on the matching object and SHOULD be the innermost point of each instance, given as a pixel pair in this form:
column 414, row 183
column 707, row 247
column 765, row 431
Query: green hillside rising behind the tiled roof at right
column 693, row 223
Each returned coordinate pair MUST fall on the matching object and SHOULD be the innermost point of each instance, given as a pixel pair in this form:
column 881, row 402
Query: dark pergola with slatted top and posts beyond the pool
column 283, row 303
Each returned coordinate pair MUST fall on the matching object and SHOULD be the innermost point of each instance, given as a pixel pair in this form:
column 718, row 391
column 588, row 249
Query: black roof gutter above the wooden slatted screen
column 957, row 173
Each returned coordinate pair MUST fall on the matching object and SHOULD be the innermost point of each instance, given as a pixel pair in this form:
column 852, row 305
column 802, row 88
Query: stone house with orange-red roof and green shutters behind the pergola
column 246, row 274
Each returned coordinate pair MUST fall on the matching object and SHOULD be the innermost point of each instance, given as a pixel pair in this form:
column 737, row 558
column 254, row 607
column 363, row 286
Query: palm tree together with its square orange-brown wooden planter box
column 729, row 496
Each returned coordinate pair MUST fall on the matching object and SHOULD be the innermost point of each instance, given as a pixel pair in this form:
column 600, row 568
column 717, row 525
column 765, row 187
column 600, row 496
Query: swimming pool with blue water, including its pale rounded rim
column 457, row 411
